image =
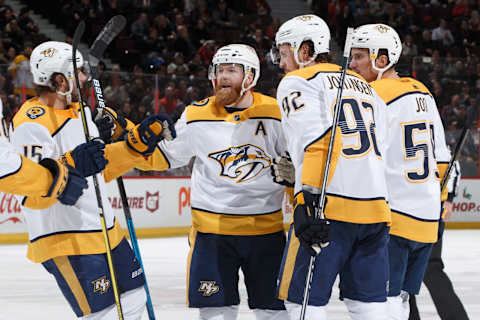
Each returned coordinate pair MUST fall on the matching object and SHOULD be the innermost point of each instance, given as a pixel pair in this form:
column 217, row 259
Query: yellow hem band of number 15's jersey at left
column 73, row 243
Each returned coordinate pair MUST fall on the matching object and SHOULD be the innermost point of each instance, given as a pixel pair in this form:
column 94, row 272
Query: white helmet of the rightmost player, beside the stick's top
column 375, row 37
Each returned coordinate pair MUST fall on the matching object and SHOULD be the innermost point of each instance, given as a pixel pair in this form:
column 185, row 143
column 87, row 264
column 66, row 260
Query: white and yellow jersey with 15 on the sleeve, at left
column 55, row 229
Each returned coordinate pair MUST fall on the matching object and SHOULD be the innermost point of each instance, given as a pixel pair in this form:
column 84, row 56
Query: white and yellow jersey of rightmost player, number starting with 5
column 416, row 158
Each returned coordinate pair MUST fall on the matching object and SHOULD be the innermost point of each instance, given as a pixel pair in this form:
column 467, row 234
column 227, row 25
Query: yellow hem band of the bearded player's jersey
column 239, row 225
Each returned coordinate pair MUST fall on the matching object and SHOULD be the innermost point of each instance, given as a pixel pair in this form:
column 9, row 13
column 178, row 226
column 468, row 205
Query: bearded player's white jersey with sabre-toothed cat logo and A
column 232, row 190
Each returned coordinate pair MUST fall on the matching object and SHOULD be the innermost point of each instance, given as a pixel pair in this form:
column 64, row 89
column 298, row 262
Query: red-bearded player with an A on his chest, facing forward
column 237, row 219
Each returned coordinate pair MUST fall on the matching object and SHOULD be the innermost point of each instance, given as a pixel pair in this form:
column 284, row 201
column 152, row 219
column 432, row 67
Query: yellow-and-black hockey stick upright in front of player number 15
column 76, row 39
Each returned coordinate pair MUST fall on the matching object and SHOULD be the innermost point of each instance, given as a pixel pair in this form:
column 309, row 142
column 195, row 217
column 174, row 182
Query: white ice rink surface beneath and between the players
column 27, row 291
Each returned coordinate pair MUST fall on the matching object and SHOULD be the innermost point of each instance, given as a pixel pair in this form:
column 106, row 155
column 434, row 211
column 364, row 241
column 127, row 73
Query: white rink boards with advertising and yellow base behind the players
column 160, row 207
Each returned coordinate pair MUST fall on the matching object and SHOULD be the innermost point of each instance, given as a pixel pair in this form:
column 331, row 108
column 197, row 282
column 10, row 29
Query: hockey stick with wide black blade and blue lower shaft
column 111, row 30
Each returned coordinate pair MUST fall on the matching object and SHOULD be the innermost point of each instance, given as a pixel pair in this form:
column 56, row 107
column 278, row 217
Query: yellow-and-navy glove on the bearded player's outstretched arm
column 144, row 137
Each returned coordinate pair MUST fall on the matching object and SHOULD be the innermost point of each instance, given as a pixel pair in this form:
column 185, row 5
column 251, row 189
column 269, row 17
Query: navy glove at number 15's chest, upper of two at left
column 88, row 158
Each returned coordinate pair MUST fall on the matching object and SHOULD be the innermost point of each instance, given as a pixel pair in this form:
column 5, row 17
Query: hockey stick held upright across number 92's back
column 319, row 213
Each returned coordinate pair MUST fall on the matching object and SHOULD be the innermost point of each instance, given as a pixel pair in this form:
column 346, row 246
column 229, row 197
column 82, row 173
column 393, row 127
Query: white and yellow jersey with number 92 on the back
column 357, row 190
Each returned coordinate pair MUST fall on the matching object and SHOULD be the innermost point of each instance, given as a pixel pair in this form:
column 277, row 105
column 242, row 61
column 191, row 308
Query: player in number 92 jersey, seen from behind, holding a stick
column 356, row 206
